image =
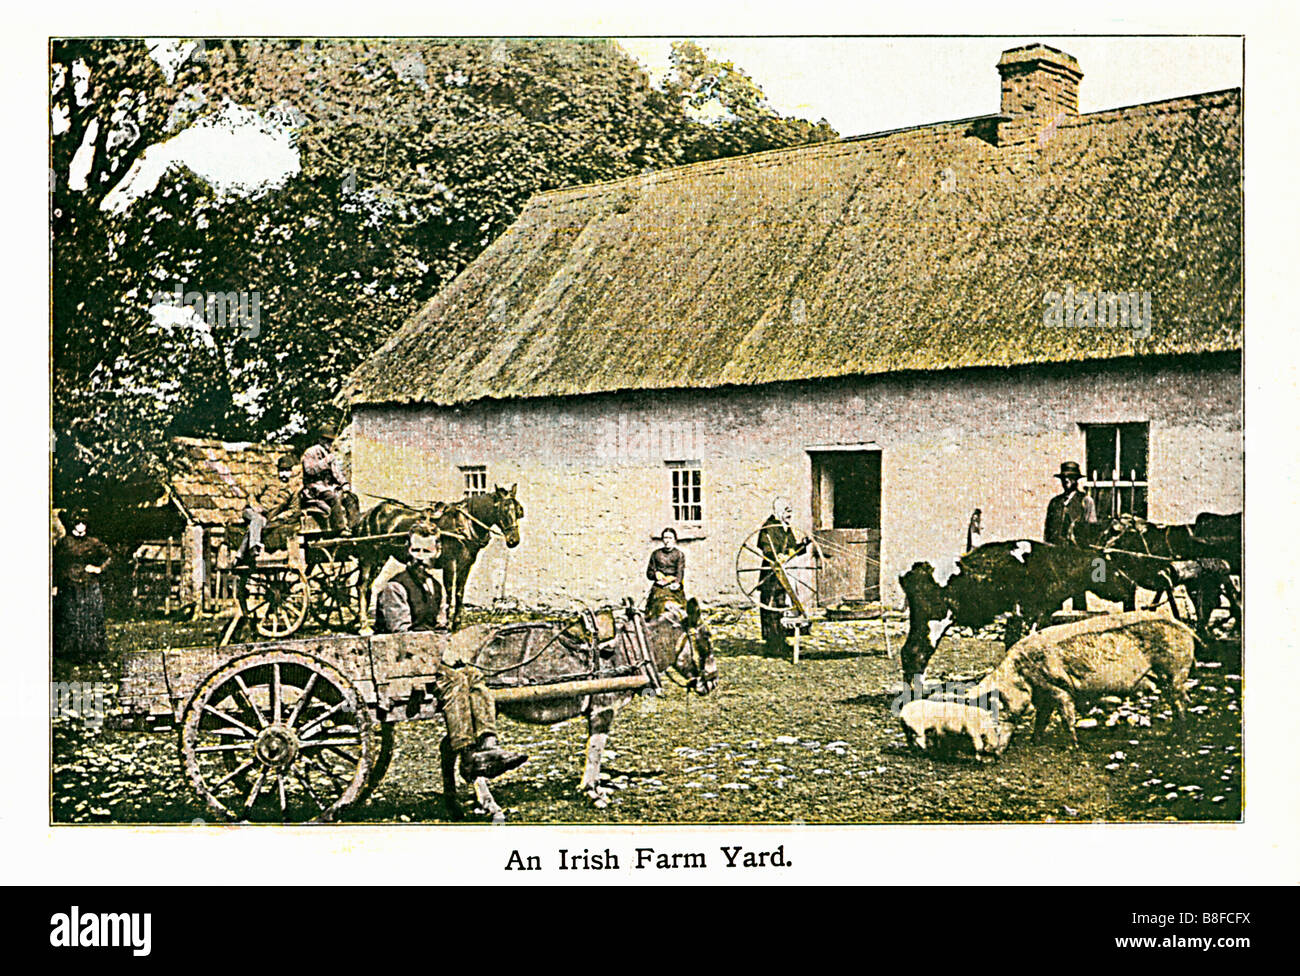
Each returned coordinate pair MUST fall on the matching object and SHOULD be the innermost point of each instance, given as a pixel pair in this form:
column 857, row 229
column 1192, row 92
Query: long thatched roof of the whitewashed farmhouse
column 917, row 250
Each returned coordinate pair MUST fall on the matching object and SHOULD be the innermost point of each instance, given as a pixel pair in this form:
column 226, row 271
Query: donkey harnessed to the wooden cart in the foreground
column 532, row 653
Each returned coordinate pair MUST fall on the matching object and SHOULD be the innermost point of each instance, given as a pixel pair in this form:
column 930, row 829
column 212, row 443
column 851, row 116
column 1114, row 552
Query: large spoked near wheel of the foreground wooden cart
column 279, row 738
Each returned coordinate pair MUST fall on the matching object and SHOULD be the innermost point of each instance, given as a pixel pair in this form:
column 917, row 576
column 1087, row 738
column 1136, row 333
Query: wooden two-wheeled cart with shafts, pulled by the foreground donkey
column 300, row 731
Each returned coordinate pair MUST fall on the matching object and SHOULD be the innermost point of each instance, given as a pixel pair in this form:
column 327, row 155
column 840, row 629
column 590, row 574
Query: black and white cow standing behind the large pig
column 1026, row 579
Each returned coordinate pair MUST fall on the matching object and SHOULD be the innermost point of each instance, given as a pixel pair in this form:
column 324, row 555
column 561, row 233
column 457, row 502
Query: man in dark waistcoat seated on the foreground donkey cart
column 413, row 601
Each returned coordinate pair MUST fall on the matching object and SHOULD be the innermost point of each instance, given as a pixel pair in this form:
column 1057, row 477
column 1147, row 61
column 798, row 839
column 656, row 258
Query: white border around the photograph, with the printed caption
column 1263, row 851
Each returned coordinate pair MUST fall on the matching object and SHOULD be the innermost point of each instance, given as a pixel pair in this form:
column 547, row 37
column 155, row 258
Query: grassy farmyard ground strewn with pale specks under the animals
column 777, row 743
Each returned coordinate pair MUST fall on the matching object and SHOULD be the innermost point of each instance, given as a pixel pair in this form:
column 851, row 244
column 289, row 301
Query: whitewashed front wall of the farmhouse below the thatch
column 595, row 485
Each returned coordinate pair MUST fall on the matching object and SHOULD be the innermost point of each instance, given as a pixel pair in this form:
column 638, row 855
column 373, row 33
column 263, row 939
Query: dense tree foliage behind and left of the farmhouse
column 414, row 157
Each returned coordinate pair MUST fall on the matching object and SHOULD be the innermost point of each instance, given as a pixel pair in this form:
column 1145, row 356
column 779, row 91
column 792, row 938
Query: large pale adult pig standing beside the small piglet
column 1106, row 656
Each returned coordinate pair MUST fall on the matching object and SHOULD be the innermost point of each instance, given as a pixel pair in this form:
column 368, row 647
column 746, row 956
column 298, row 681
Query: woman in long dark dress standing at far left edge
column 80, row 561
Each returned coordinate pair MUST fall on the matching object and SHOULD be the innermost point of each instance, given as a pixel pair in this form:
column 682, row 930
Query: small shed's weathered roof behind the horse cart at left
column 213, row 480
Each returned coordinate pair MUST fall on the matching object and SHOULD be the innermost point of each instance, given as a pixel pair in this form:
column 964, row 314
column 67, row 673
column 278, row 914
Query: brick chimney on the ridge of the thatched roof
column 1039, row 86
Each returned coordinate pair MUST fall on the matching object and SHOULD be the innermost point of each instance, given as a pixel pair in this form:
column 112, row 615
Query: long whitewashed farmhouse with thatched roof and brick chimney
column 891, row 331
